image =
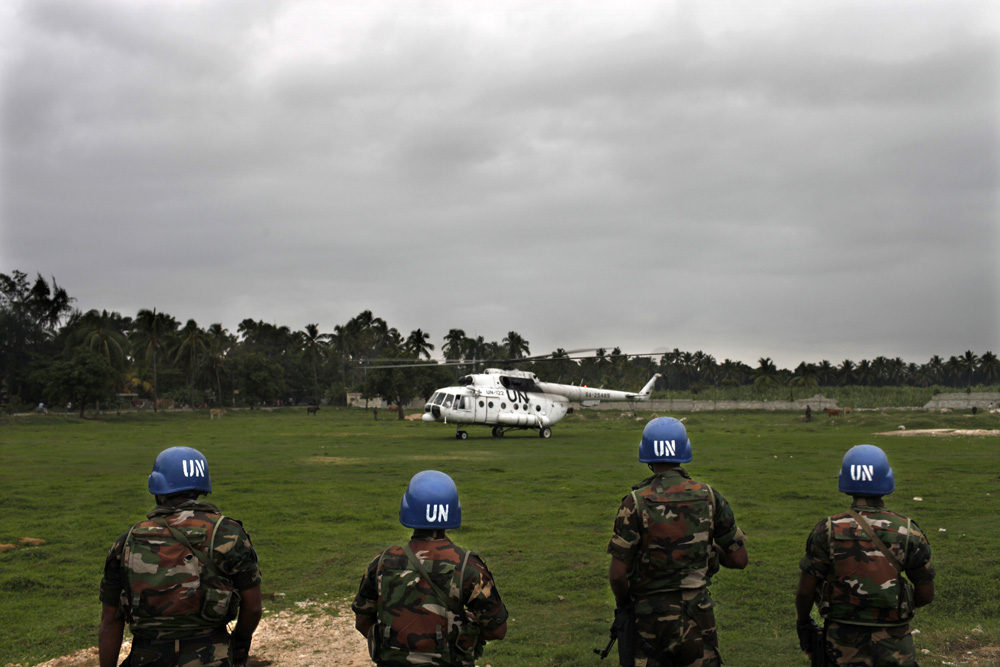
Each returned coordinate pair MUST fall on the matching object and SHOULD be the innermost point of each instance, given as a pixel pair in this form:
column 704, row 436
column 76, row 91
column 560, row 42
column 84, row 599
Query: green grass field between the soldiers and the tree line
column 320, row 495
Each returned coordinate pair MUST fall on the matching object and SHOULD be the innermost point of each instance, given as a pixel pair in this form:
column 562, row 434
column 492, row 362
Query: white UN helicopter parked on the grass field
column 515, row 400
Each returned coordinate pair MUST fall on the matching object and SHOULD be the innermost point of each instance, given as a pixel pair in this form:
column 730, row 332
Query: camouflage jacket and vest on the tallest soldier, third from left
column 665, row 531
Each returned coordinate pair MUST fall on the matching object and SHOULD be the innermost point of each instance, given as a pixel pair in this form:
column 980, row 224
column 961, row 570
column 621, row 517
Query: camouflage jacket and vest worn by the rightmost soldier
column 859, row 586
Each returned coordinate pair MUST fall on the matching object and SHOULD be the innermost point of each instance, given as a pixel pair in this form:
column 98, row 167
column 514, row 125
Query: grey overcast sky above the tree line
column 795, row 180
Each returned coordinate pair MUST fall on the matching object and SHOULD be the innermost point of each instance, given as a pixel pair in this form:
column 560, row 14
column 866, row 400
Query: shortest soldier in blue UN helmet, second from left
column 409, row 620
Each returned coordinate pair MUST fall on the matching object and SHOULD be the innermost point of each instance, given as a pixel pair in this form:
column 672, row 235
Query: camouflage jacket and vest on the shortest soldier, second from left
column 415, row 626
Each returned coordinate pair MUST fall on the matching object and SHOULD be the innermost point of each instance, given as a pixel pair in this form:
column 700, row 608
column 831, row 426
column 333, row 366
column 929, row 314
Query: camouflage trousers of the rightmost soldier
column 865, row 646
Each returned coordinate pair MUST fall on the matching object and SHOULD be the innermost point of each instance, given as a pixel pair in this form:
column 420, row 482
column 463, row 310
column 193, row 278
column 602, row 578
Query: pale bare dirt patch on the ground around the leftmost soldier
column 310, row 635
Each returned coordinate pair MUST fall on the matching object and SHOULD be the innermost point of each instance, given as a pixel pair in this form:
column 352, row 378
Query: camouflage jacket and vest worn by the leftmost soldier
column 161, row 589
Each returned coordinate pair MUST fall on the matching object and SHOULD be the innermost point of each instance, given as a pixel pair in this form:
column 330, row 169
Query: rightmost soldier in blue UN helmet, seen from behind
column 866, row 602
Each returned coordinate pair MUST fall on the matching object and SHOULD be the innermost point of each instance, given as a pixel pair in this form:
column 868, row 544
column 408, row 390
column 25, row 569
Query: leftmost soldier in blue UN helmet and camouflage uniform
column 180, row 576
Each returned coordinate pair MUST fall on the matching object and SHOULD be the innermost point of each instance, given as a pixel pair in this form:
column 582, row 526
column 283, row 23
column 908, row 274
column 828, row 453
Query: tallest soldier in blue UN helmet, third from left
column 671, row 535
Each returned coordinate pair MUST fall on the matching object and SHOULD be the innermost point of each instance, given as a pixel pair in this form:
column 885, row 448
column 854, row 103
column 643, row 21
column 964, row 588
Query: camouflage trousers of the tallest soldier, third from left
column 677, row 629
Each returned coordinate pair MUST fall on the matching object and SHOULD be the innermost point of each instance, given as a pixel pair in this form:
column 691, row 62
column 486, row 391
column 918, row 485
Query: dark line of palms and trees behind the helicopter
column 53, row 353
